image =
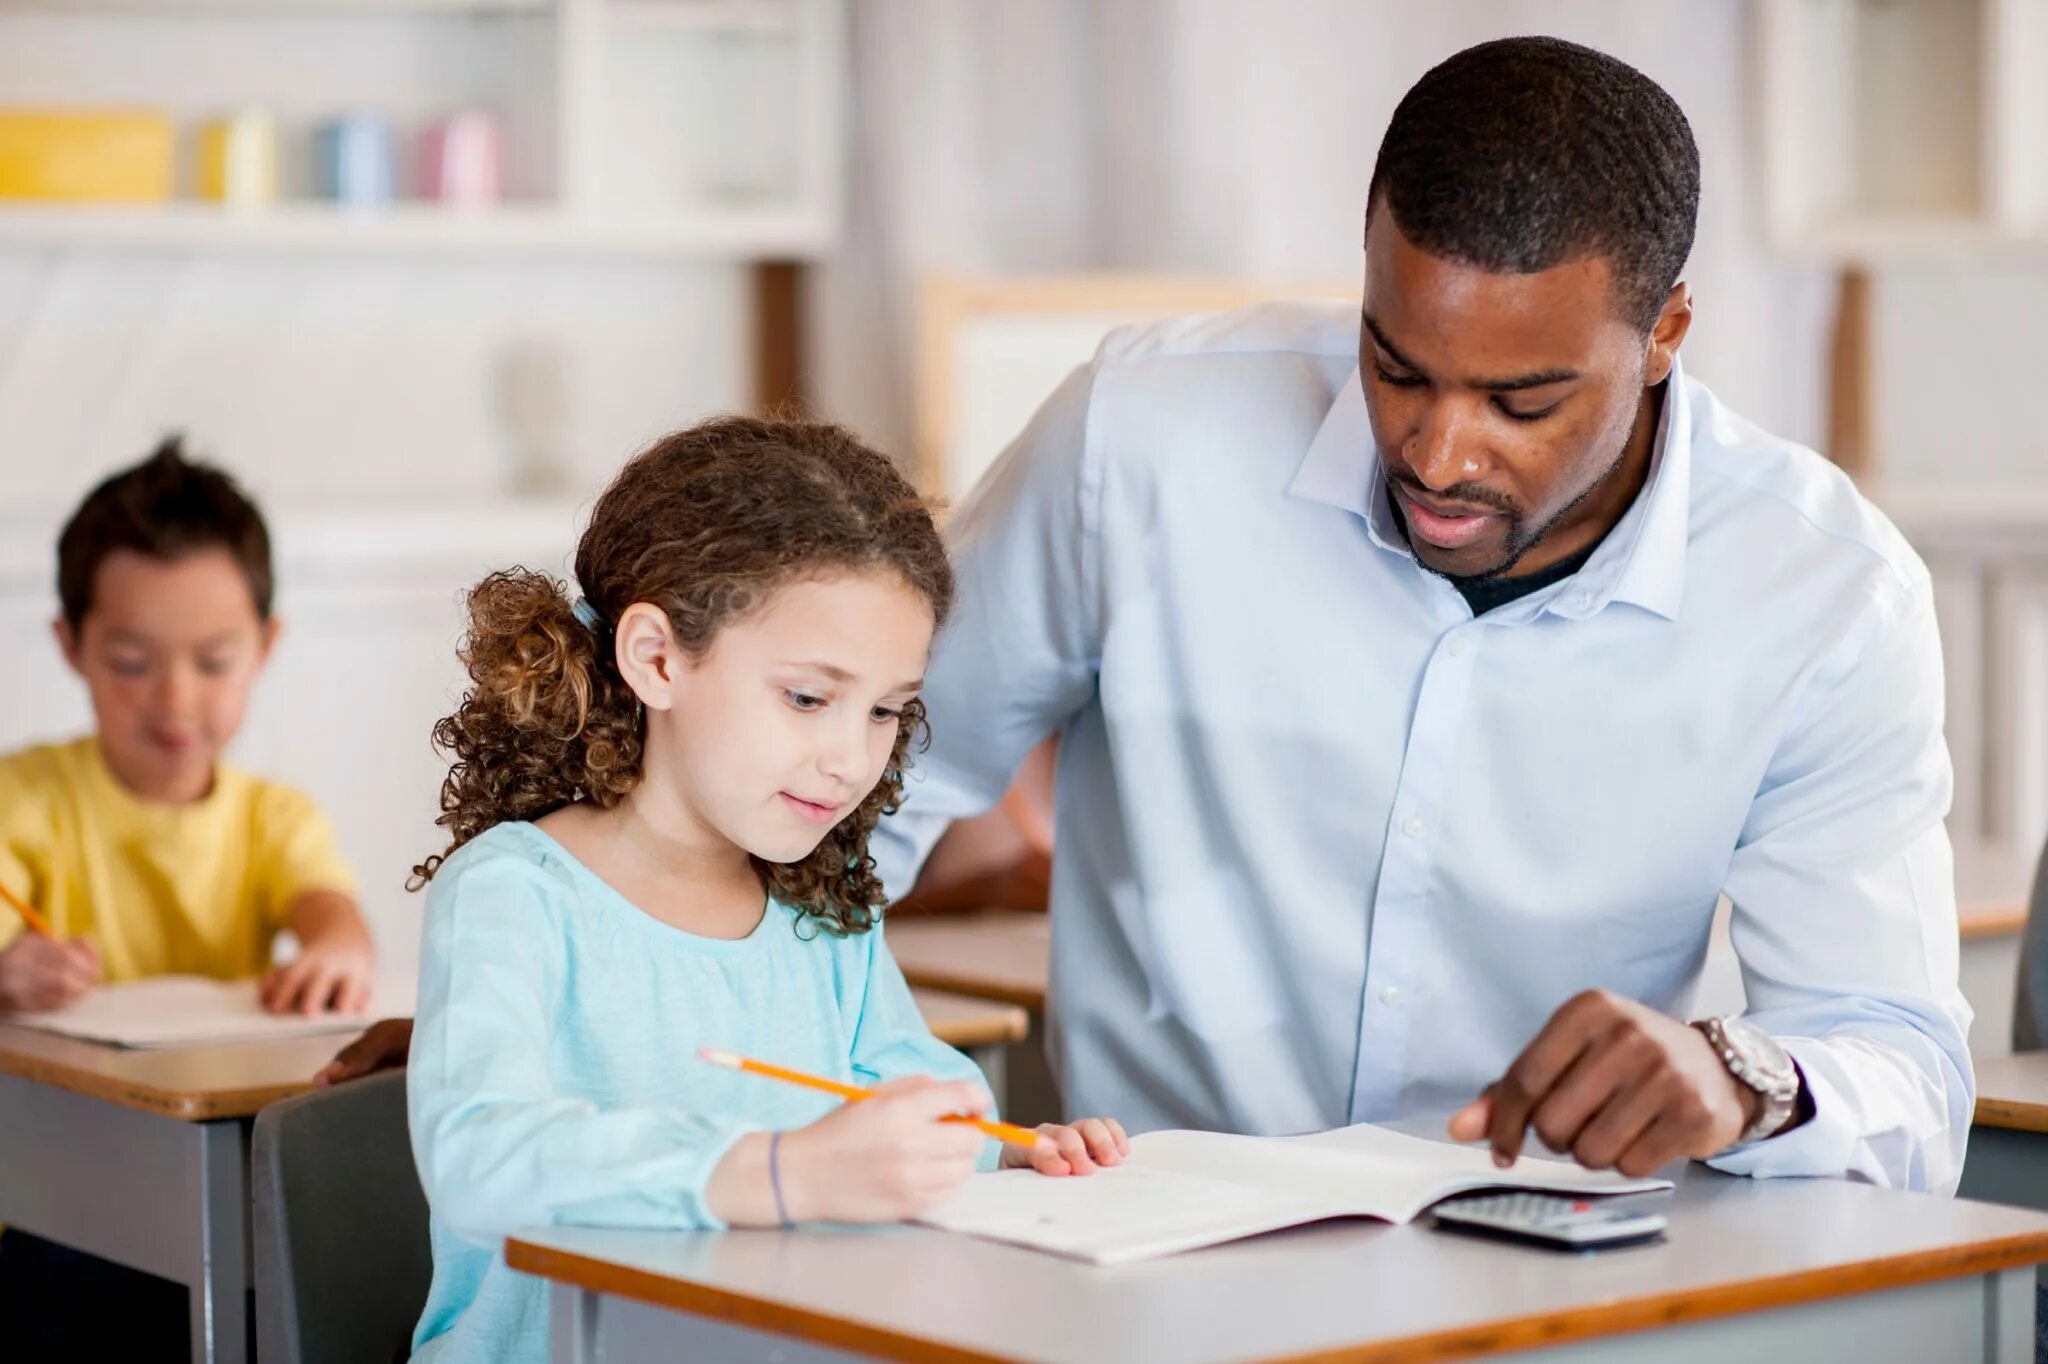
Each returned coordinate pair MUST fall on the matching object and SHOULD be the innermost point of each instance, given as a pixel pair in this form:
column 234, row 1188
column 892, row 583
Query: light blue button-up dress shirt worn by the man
column 1332, row 851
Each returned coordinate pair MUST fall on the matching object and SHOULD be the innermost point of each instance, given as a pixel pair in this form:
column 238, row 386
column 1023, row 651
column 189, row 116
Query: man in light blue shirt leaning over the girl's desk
column 1424, row 681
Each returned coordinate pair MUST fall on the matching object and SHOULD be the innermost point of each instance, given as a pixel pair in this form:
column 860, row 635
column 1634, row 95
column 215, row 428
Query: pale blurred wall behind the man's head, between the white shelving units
column 1222, row 136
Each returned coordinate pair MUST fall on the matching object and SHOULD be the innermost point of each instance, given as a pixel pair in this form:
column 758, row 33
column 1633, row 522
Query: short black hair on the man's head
column 1531, row 153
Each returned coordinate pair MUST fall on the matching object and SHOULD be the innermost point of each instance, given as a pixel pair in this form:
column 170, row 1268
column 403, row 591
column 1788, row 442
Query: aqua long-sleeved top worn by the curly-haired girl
column 554, row 1070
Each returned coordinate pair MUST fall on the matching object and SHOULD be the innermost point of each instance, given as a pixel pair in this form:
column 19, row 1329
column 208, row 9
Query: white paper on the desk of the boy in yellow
column 189, row 1011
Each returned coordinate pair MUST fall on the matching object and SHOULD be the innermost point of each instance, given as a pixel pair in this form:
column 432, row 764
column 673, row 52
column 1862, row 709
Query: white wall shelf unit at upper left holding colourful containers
column 708, row 128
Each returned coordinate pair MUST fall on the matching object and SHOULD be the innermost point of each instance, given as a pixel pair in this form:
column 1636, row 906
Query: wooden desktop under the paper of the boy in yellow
column 179, row 1082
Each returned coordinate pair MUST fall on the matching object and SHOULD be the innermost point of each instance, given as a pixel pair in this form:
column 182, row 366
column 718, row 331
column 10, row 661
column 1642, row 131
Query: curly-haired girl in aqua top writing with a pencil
column 660, row 808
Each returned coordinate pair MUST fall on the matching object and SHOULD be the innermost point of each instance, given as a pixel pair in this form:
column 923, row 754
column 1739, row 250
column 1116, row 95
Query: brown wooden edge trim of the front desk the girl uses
column 1531, row 1332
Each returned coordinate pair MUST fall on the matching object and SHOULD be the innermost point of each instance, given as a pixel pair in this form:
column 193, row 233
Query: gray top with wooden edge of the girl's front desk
column 1340, row 1291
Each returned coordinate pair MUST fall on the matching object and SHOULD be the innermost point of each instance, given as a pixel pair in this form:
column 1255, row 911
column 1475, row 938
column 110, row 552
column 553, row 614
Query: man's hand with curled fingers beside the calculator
column 1615, row 1084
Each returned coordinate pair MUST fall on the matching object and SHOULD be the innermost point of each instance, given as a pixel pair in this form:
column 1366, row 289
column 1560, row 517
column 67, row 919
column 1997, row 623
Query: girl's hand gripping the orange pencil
column 886, row 1158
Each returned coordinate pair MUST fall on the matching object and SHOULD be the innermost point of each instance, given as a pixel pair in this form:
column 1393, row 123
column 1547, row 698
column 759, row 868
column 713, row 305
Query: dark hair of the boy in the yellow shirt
column 167, row 507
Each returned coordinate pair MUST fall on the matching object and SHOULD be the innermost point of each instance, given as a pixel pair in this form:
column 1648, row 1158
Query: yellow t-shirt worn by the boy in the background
column 161, row 890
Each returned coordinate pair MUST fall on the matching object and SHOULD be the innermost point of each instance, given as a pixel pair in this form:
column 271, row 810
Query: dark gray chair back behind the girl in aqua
column 343, row 1259
